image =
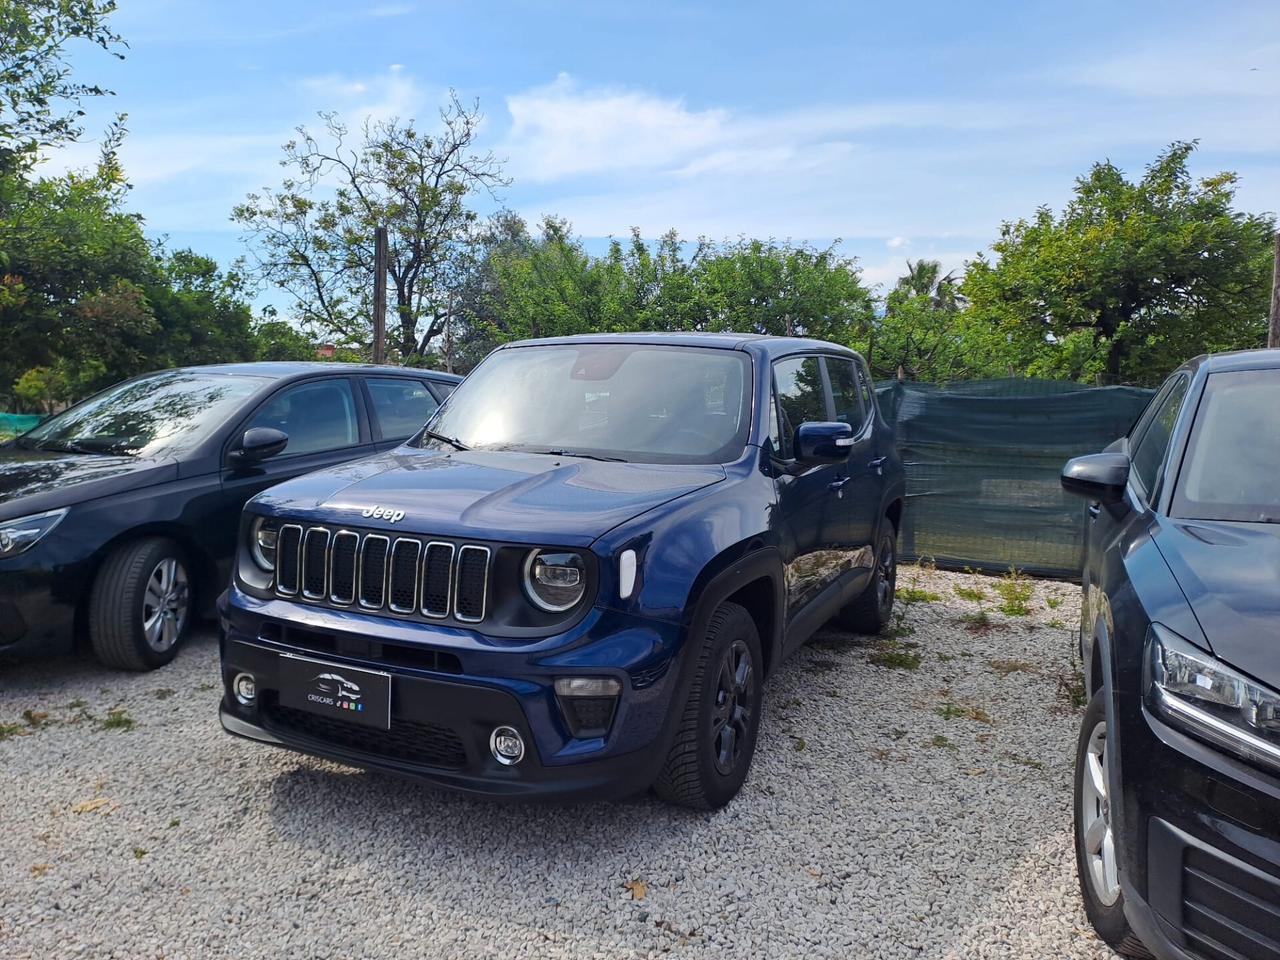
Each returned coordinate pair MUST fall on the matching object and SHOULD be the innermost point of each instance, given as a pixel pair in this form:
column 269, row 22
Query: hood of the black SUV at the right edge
column 1231, row 575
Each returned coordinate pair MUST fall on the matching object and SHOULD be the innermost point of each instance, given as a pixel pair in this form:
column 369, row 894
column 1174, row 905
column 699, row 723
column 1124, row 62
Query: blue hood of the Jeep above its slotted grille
column 487, row 495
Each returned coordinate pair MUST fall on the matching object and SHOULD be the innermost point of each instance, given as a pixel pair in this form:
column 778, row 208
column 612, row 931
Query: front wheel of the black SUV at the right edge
column 1096, row 844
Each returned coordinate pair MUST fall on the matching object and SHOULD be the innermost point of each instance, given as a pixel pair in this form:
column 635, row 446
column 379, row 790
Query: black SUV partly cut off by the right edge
column 1178, row 770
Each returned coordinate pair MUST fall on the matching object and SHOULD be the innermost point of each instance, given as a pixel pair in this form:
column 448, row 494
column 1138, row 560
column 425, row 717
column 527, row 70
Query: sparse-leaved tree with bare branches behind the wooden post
column 313, row 237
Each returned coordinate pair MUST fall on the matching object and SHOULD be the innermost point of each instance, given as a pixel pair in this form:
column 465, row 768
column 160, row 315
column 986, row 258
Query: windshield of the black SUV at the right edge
column 1233, row 458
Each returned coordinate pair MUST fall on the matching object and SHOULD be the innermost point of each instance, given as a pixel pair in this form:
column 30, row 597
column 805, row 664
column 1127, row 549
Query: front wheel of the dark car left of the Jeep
column 141, row 605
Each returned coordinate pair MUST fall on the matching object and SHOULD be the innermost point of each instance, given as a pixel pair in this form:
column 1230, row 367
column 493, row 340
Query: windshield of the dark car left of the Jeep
column 162, row 414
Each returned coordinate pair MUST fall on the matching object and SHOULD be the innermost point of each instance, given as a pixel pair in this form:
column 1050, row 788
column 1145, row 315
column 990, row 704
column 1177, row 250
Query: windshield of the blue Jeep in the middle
column 612, row 401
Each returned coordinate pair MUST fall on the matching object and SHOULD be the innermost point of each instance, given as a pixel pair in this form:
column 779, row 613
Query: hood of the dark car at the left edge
column 33, row 482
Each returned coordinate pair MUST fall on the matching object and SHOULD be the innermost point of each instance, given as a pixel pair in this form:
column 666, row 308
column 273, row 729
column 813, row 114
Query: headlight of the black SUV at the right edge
column 1199, row 693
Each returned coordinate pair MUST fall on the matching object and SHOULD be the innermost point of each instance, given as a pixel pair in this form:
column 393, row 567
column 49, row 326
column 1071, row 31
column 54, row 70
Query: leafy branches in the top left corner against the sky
column 40, row 106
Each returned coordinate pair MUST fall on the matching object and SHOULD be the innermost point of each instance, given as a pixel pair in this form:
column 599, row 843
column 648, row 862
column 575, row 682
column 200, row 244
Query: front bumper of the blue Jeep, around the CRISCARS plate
column 452, row 688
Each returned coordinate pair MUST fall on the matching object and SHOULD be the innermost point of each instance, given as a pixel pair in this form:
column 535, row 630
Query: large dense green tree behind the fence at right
column 1131, row 280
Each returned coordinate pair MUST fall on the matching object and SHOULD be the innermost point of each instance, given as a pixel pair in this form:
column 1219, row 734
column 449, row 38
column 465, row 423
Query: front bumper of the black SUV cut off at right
column 1201, row 847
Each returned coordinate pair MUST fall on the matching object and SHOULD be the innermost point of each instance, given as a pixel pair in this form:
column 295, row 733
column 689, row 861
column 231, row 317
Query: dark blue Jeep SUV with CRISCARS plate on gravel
column 577, row 579
